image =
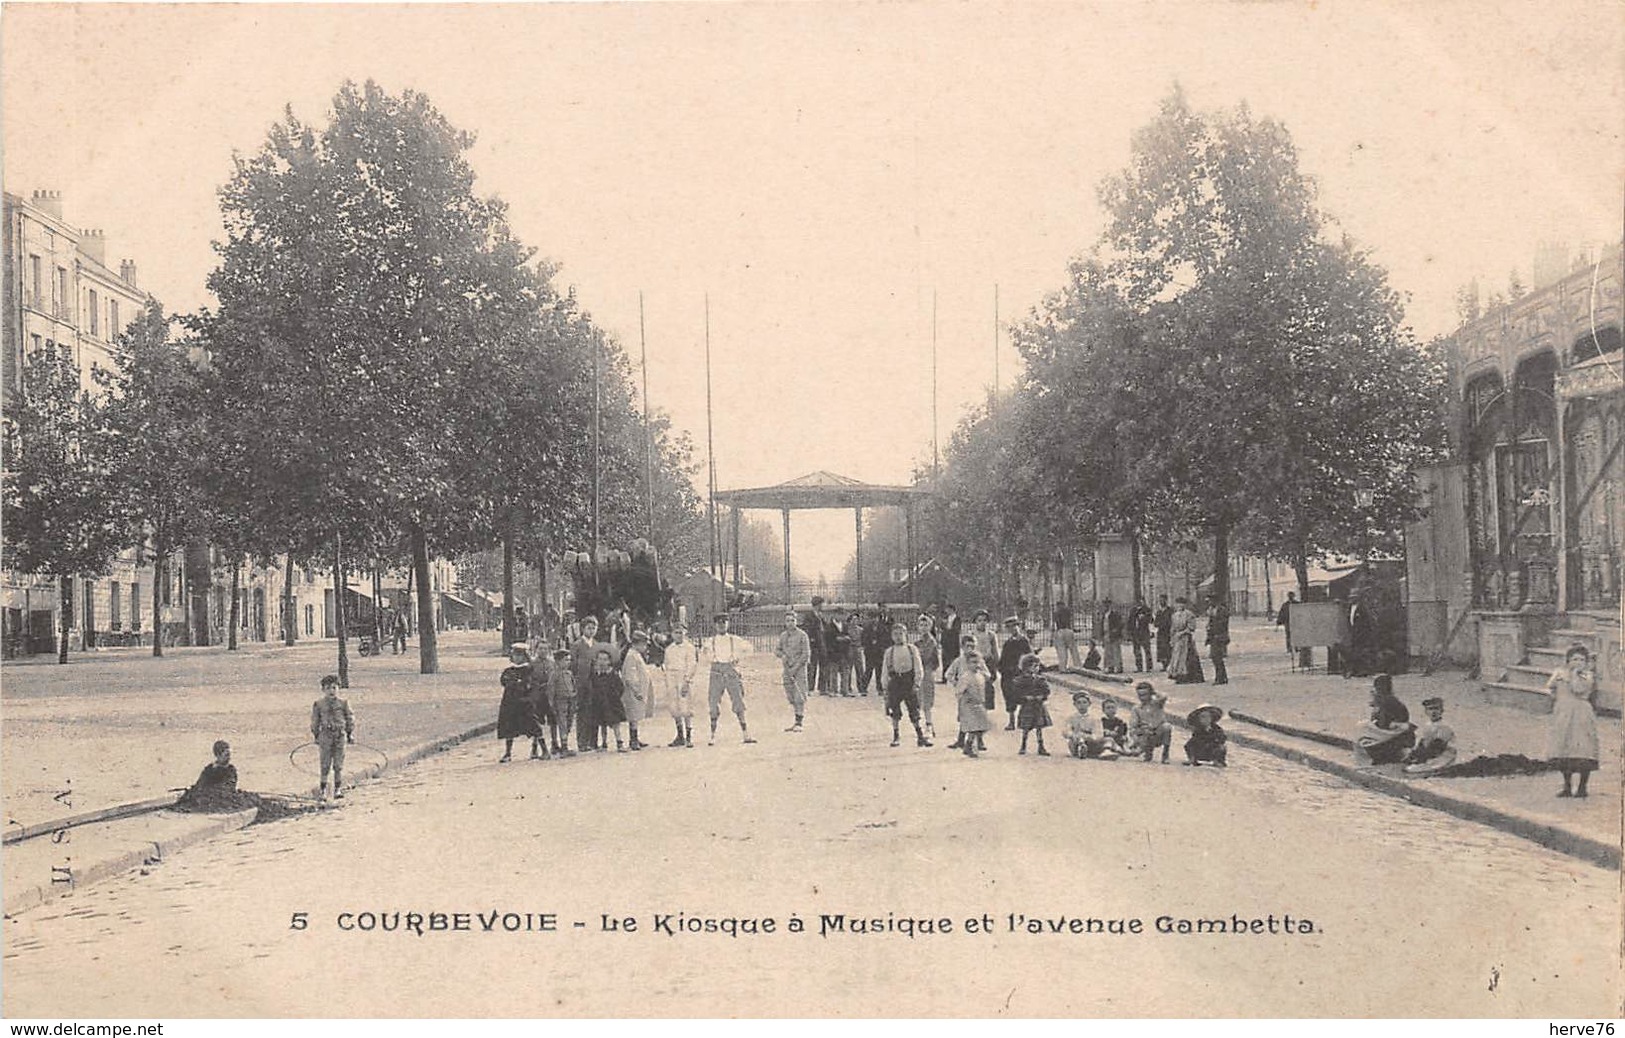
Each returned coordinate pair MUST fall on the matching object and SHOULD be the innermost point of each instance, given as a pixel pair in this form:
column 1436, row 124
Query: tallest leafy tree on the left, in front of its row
column 362, row 282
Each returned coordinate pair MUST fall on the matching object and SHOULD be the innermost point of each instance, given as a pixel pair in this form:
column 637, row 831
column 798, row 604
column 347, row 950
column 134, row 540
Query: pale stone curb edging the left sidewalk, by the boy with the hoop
column 147, row 852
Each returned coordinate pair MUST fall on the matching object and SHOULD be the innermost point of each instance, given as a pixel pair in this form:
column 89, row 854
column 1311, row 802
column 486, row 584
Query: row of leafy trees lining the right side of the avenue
column 1220, row 368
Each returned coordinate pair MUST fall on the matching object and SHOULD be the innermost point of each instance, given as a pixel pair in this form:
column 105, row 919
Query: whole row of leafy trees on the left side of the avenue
column 386, row 373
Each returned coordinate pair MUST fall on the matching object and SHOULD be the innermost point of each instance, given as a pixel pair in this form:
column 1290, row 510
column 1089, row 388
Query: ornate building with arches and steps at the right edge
column 1525, row 543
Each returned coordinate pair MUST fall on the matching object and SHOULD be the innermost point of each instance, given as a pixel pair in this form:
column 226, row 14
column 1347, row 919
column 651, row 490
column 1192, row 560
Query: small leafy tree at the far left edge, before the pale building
column 61, row 511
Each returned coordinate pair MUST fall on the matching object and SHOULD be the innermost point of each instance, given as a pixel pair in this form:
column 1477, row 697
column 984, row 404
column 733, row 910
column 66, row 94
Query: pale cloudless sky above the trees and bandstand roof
column 820, row 170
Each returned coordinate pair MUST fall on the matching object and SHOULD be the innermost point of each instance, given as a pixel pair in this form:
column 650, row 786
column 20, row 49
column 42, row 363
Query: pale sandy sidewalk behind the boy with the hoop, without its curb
column 119, row 727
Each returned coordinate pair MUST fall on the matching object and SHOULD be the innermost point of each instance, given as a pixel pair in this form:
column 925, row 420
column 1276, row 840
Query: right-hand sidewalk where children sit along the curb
column 1265, row 686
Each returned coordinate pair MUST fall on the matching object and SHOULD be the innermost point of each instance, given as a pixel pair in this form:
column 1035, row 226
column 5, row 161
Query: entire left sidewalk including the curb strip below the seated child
column 124, row 729
